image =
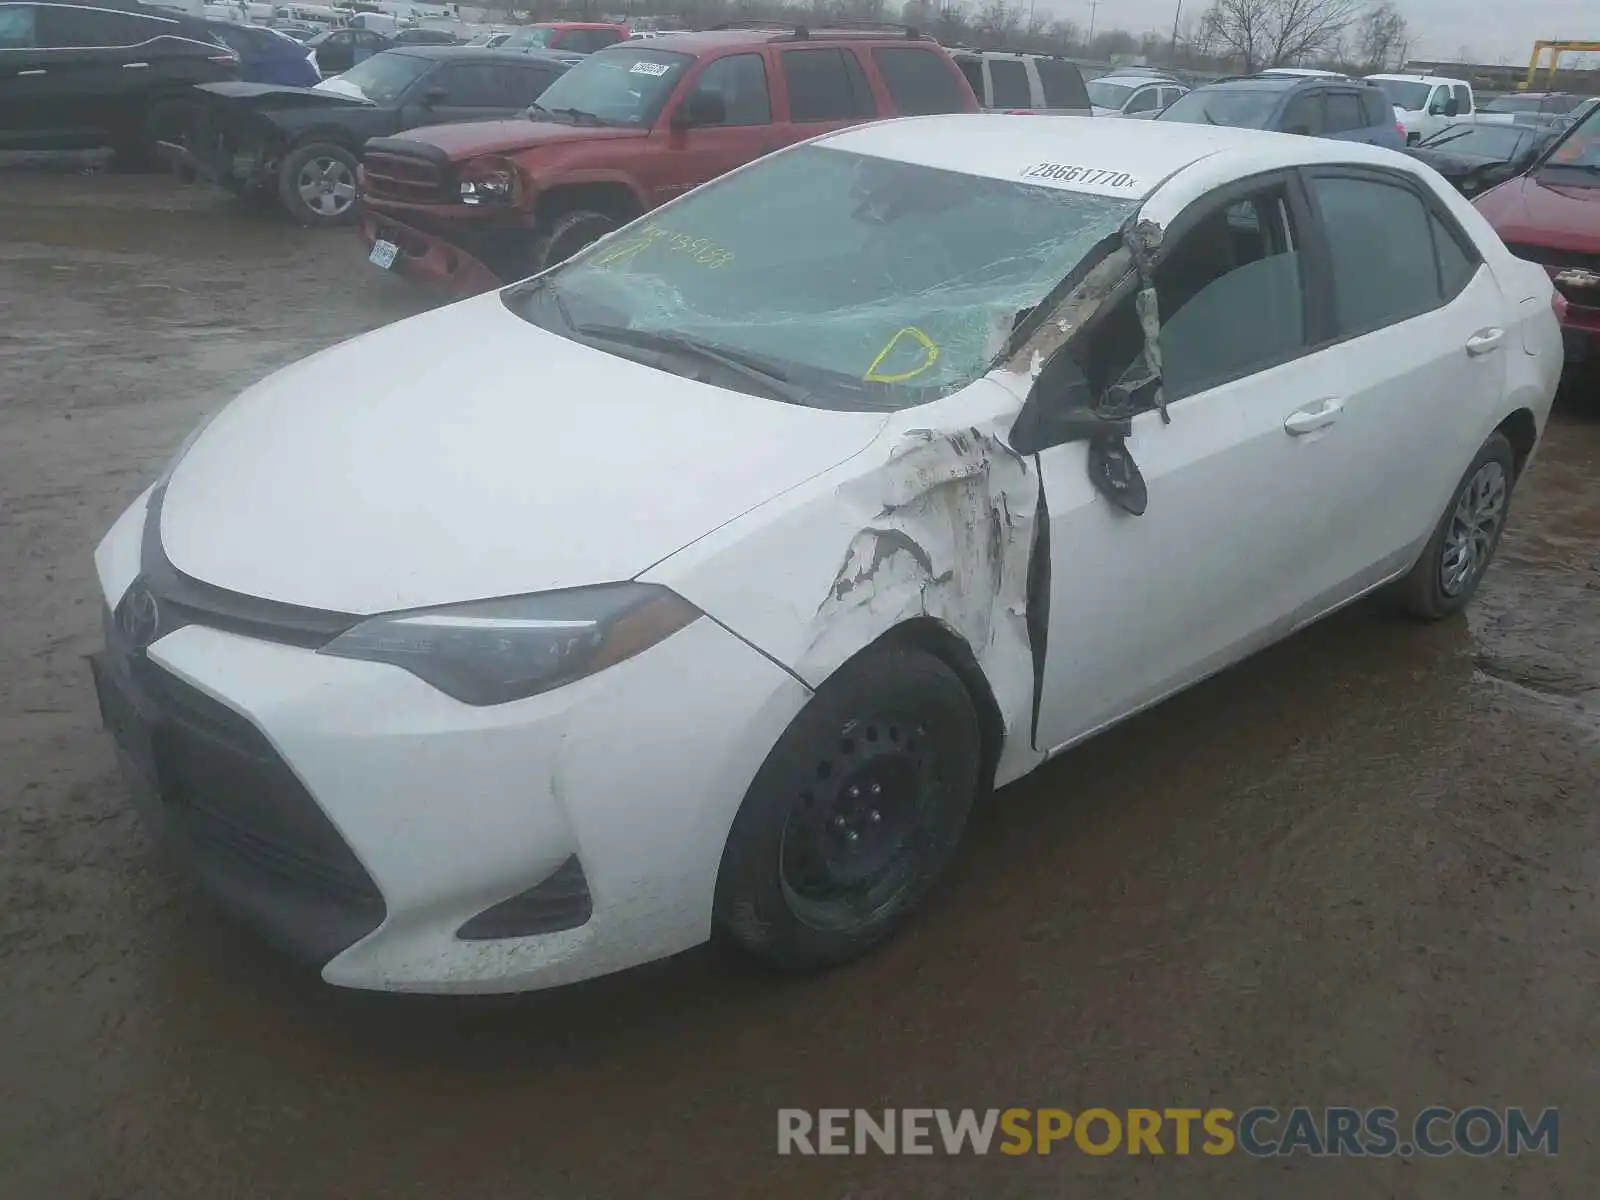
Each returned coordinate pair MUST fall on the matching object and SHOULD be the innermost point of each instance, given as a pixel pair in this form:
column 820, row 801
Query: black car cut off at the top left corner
column 118, row 74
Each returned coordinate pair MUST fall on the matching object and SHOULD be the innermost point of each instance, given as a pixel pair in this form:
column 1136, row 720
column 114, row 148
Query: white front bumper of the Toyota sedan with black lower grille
column 359, row 818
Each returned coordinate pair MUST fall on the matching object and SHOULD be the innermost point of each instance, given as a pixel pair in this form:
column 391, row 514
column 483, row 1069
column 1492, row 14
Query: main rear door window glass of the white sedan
column 1382, row 242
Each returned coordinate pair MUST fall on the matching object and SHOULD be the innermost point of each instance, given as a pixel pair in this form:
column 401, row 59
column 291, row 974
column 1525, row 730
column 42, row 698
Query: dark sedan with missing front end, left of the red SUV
column 305, row 143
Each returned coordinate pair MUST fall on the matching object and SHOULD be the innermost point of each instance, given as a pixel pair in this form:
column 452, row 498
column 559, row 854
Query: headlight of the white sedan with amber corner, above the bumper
column 492, row 652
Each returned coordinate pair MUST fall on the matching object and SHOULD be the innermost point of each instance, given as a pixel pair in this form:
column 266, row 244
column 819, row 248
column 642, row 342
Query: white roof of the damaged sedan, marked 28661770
column 1007, row 146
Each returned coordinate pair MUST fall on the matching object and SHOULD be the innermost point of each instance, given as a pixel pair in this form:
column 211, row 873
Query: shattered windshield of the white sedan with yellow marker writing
column 860, row 282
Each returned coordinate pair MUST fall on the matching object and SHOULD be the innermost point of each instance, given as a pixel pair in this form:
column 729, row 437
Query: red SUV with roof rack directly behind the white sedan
column 470, row 207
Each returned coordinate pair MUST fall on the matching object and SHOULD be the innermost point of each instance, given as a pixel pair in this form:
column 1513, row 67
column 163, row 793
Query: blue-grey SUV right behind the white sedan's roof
column 1316, row 106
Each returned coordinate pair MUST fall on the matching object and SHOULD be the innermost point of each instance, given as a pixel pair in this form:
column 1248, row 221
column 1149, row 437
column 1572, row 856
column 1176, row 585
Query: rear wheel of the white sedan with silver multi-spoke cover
column 1463, row 545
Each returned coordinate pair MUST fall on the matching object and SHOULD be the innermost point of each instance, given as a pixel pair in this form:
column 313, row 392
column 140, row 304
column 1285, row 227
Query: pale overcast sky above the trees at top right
column 1489, row 28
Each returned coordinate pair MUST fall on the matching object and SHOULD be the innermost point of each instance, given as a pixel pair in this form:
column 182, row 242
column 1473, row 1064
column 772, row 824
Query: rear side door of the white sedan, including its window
column 1415, row 367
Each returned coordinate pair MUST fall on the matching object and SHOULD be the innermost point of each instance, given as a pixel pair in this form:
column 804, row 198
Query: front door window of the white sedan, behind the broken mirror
column 1230, row 298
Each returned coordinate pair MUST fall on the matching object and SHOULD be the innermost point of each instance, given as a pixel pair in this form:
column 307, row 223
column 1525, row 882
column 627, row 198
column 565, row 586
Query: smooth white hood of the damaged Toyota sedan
column 465, row 455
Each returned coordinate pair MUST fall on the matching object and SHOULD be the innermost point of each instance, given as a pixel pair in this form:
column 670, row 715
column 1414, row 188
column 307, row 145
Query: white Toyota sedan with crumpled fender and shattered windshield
column 702, row 585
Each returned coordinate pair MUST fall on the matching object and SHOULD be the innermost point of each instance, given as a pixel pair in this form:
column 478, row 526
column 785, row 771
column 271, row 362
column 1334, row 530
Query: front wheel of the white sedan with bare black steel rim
column 855, row 814
